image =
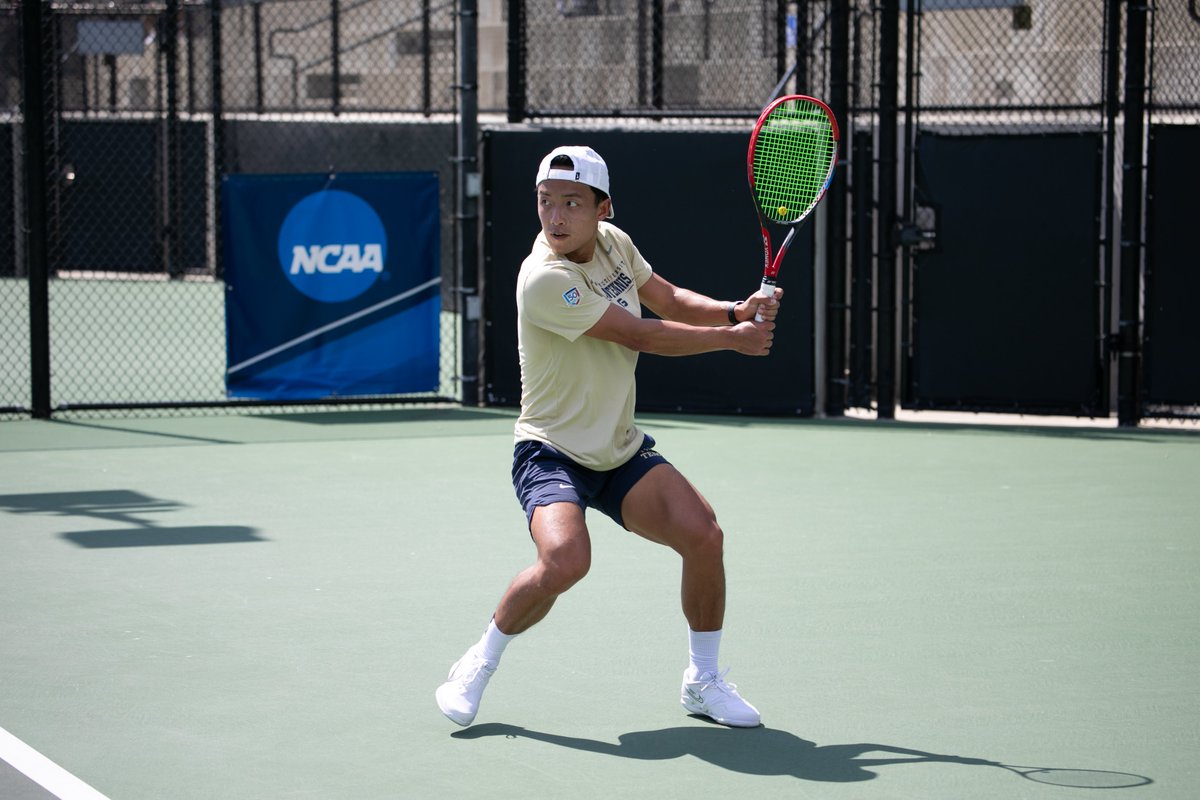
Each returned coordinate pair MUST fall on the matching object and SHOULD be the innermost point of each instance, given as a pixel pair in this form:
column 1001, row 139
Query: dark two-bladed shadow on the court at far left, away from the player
column 124, row 508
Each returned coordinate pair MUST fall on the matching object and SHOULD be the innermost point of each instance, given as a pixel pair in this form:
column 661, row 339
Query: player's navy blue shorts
column 543, row 476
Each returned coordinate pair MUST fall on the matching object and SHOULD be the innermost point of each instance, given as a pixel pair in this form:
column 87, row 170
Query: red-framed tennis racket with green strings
column 790, row 163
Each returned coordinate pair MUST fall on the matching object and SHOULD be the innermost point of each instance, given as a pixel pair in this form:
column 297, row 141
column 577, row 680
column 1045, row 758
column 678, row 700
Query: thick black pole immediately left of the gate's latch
column 886, row 334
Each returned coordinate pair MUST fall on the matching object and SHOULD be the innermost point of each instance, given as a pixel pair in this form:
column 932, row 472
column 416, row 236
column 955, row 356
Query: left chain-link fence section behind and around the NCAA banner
column 147, row 109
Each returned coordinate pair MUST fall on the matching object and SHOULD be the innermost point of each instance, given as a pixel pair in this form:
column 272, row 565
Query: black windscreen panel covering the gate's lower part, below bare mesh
column 1006, row 306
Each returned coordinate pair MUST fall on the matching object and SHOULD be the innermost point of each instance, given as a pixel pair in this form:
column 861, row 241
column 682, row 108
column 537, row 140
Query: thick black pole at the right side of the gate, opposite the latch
column 1133, row 184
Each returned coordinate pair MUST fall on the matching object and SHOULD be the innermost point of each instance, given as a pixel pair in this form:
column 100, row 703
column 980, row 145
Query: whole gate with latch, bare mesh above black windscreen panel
column 1005, row 257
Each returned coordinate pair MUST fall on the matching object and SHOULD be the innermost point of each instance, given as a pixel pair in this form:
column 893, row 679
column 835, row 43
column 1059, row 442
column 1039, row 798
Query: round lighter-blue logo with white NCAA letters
column 333, row 246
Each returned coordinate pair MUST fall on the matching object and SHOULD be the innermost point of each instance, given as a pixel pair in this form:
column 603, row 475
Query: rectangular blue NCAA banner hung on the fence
column 333, row 285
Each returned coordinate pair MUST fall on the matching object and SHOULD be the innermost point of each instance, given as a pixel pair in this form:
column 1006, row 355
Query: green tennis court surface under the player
column 259, row 607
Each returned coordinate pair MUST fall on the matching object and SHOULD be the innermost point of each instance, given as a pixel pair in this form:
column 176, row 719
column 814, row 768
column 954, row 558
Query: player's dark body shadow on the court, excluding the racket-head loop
column 755, row 751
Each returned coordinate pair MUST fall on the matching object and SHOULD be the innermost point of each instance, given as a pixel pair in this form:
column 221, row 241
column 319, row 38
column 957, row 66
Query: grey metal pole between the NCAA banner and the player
column 469, row 190
